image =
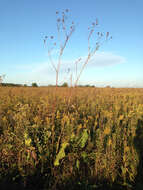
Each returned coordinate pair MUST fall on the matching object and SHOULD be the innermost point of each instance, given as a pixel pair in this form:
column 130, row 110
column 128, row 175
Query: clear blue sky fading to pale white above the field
column 24, row 56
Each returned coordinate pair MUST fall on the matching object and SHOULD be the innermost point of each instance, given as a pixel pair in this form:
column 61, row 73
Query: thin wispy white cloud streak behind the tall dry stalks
column 101, row 59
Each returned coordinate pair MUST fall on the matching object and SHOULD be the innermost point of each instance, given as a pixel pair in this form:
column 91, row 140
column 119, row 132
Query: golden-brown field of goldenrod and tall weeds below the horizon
column 75, row 138
